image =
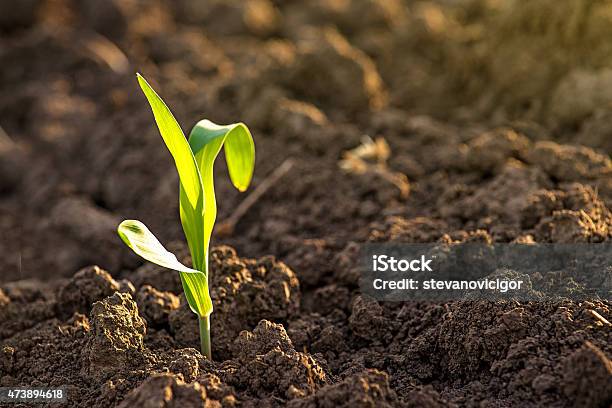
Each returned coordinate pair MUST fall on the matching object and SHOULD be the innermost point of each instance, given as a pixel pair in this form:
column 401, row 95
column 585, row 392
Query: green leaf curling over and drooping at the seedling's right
column 206, row 139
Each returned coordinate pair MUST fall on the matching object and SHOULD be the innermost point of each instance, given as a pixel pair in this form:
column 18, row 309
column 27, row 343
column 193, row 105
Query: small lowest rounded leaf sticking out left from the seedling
column 137, row 236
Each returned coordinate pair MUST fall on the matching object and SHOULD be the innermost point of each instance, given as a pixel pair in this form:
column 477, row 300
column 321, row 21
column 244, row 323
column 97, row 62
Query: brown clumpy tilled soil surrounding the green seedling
column 508, row 162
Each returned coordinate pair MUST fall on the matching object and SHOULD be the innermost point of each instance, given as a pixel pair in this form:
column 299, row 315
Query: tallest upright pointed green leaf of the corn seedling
column 191, row 200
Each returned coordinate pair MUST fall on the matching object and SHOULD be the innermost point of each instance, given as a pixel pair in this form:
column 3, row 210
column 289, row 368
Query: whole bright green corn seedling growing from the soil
column 194, row 160
